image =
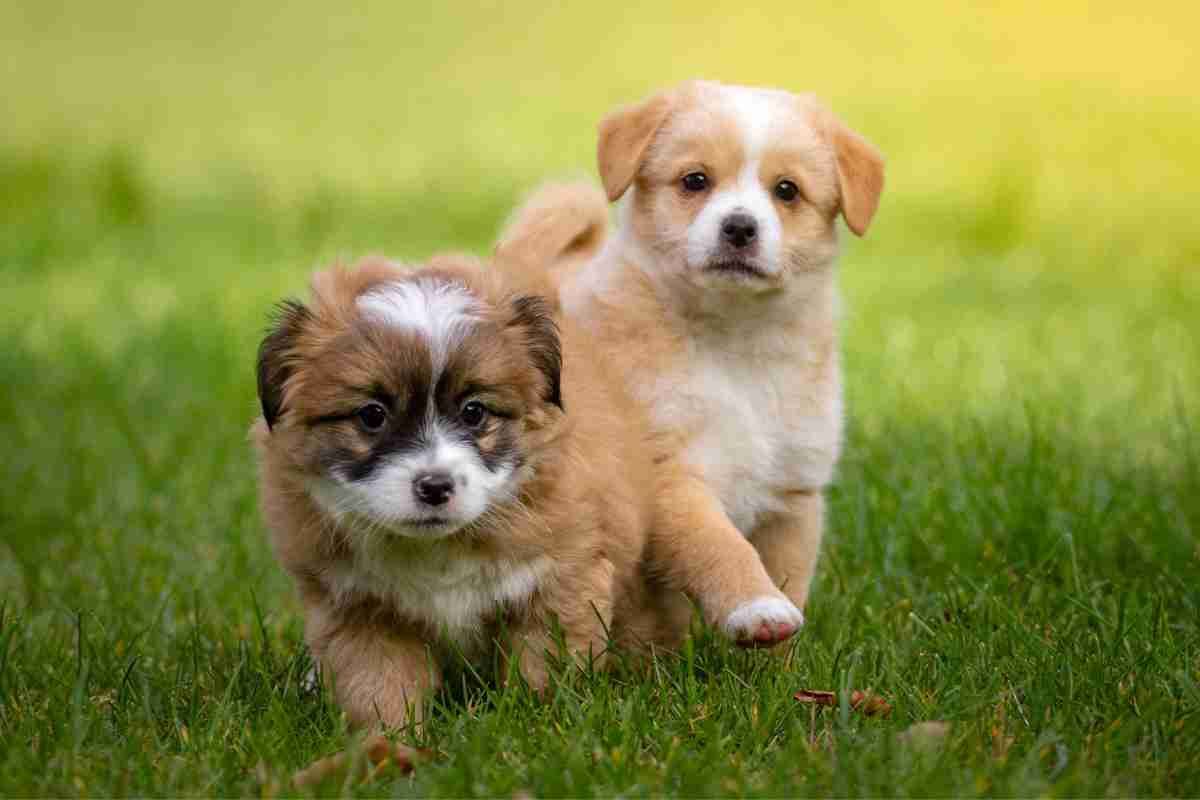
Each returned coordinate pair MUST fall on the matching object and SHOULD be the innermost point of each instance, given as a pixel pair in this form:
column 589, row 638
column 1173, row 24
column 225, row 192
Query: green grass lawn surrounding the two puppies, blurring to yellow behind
column 1013, row 534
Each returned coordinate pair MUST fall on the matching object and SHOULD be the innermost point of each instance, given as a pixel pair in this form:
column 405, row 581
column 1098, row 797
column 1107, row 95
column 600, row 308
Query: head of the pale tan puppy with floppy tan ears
column 736, row 187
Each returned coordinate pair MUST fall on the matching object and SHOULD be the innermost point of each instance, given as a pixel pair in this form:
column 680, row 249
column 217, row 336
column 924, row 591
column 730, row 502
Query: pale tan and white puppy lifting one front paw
column 717, row 298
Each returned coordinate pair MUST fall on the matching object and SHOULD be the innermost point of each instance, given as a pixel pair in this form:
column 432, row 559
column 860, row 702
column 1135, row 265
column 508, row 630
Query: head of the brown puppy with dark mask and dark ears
column 411, row 402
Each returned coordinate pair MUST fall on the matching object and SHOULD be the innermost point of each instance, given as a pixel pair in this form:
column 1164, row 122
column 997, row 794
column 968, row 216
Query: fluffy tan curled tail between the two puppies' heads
column 560, row 227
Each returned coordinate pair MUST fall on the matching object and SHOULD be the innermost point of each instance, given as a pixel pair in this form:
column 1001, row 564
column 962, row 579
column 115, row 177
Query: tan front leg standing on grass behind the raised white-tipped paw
column 790, row 545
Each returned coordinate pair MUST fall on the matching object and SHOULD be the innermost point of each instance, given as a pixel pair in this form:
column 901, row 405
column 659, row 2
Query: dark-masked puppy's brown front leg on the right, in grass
column 583, row 606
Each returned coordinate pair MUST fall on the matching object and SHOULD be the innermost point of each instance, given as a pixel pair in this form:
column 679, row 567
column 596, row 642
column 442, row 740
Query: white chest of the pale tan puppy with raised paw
column 755, row 429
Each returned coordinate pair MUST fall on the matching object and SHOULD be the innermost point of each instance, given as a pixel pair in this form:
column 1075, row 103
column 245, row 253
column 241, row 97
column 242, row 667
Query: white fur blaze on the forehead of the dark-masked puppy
column 441, row 312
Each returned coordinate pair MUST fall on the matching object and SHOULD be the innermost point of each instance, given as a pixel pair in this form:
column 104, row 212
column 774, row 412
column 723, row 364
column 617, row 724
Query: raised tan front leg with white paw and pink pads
column 699, row 551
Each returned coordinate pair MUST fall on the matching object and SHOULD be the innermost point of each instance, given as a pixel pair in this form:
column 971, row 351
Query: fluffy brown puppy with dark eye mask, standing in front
column 425, row 489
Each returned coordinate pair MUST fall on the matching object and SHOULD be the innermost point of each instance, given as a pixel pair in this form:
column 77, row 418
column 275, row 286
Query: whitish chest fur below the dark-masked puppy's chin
column 449, row 590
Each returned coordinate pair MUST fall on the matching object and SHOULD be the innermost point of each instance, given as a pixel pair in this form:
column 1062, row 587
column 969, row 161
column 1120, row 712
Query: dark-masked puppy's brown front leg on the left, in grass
column 382, row 672
